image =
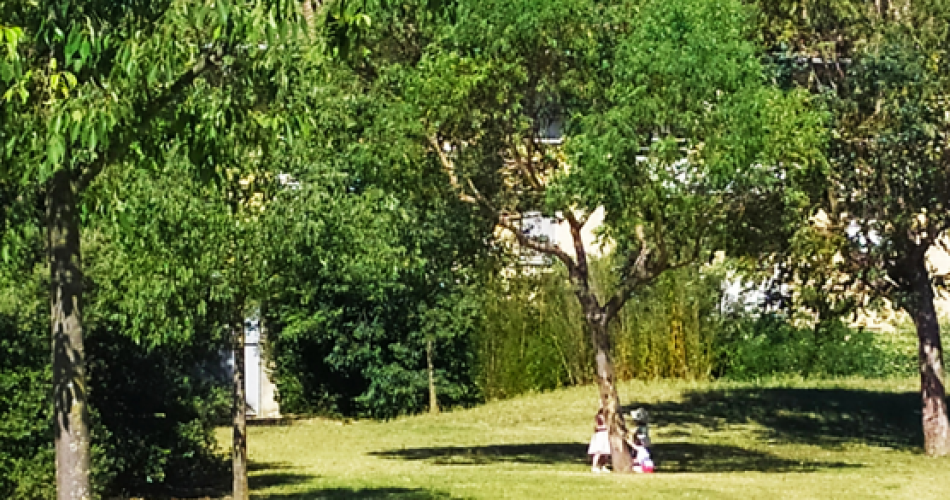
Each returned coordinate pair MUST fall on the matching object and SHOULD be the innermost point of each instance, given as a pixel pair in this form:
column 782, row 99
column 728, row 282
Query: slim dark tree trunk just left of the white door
column 238, row 409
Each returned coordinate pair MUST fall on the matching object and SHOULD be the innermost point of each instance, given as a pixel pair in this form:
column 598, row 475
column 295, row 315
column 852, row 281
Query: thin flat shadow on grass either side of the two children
column 670, row 457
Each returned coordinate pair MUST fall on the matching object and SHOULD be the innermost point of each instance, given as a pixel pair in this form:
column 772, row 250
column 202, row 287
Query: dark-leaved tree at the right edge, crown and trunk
column 883, row 68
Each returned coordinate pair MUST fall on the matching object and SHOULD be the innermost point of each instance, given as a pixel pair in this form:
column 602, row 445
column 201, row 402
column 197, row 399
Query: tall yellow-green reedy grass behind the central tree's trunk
column 533, row 336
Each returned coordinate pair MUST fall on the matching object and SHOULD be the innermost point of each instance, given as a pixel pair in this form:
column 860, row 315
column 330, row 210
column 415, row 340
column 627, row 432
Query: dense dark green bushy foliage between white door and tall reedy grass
column 354, row 308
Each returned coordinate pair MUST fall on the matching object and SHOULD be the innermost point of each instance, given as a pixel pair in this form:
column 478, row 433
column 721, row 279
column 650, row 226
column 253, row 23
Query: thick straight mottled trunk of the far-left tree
column 70, row 395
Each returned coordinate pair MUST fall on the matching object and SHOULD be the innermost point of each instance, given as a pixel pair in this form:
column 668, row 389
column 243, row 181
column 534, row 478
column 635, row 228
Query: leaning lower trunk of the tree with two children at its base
column 609, row 398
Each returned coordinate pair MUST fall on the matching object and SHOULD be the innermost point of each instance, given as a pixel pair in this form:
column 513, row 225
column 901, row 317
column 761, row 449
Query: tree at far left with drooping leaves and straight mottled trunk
column 89, row 85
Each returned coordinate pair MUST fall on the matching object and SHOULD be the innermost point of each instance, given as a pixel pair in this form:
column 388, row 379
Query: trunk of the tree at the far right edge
column 930, row 362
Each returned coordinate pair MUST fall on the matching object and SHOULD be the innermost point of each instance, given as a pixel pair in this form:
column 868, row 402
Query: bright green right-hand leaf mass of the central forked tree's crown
column 690, row 148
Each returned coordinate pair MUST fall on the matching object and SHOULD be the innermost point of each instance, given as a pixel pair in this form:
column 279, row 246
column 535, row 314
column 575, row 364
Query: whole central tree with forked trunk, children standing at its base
column 670, row 126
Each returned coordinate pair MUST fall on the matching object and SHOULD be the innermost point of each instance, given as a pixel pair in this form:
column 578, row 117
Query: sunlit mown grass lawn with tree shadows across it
column 779, row 439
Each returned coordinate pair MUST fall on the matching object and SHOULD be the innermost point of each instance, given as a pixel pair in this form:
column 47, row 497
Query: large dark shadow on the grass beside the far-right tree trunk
column 822, row 417
